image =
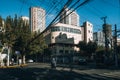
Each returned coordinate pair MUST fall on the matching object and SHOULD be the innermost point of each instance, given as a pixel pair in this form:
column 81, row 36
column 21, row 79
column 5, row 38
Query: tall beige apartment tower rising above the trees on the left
column 37, row 19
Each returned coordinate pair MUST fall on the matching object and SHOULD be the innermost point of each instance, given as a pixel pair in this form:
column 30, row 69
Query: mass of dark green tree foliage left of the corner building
column 17, row 36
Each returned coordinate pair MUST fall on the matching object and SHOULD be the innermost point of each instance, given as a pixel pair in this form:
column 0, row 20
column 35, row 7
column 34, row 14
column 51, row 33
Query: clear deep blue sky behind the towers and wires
column 92, row 11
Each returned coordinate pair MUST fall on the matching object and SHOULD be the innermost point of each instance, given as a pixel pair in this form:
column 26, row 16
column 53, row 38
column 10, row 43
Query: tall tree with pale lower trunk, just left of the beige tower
column 23, row 36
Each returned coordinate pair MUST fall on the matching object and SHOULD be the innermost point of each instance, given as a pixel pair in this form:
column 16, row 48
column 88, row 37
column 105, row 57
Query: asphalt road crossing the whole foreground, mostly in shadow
column 42, row 71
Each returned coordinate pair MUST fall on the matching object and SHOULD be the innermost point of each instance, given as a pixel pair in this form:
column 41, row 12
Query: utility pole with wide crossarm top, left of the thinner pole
column 106, row 39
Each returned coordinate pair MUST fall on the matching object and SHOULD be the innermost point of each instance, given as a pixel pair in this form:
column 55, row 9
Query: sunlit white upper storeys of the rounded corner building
column 63, row 34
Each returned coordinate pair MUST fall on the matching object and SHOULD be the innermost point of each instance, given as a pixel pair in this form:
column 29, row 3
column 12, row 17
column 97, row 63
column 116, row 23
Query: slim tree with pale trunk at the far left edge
column 8, row 36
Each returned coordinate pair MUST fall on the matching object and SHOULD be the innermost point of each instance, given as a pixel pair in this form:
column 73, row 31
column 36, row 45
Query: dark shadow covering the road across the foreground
column 48, row 74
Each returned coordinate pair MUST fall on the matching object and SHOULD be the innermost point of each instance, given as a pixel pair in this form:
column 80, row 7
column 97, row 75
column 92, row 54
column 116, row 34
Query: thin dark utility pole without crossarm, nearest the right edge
column 115, row 46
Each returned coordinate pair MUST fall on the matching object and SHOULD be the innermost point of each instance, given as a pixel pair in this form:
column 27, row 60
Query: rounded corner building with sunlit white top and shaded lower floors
column 63, row 39
